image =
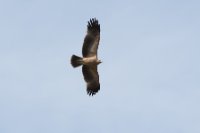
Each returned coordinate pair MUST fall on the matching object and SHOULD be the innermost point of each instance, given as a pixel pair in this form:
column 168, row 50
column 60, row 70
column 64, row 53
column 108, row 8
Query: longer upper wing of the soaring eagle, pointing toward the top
column 91, row 41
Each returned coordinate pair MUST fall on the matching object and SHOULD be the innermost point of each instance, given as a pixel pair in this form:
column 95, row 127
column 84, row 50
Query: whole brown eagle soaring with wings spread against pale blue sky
column 90, row 61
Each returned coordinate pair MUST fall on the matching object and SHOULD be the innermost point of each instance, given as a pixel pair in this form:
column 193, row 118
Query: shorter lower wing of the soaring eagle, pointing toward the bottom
column 91, row 78
